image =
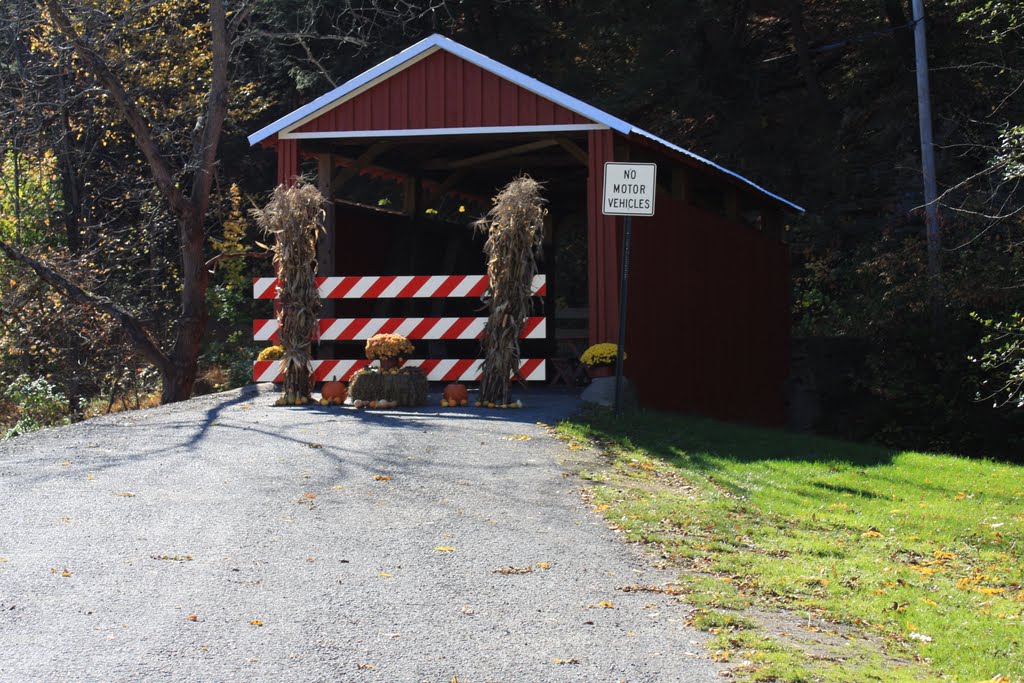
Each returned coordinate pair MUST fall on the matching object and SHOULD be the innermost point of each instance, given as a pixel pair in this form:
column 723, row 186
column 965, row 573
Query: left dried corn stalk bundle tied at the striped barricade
column 295, row 218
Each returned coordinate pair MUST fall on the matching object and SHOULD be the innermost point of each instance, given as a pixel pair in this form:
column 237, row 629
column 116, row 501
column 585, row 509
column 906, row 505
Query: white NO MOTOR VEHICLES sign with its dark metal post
column 629, row 191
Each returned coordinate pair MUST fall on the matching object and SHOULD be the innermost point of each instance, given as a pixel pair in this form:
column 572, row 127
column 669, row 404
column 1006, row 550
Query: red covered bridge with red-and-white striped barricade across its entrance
column 410, row 152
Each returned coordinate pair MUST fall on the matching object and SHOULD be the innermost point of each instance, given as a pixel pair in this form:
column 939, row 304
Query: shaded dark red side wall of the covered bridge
column 709, row 322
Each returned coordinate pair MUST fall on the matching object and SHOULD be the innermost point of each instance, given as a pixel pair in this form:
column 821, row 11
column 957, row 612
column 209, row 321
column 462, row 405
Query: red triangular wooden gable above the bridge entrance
column 443, row 92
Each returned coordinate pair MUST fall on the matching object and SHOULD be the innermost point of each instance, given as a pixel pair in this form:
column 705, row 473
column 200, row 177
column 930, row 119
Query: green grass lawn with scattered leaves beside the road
column 914, row 562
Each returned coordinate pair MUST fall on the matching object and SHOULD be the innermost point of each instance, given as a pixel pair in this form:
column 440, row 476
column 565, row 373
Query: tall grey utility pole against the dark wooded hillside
column 928, row 161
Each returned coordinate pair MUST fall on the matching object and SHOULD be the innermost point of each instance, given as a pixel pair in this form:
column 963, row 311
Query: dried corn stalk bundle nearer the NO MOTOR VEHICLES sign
column 516, row 231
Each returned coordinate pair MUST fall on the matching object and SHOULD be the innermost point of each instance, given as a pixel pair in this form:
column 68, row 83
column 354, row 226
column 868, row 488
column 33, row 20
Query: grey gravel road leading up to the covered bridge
column 227, row 540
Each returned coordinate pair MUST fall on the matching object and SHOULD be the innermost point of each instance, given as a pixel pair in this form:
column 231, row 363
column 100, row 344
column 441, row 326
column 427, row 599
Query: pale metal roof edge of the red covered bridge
column 429, row 46
